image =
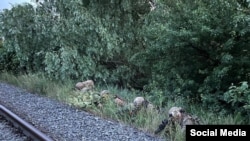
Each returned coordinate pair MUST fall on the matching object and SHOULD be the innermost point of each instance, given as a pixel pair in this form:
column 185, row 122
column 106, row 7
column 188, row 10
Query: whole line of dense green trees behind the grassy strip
column 196, row 49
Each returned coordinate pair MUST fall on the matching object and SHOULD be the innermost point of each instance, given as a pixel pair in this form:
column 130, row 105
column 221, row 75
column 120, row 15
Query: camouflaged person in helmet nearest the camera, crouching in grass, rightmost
column 177, row 117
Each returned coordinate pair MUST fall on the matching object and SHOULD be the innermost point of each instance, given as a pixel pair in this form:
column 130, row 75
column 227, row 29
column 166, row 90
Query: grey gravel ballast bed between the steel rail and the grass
column 64, row 123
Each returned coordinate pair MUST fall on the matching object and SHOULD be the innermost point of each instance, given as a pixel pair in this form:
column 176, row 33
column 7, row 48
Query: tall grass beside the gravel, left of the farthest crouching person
column 37, row 83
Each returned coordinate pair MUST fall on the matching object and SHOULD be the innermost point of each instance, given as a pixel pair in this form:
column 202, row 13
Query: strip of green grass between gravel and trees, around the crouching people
column 147, row 121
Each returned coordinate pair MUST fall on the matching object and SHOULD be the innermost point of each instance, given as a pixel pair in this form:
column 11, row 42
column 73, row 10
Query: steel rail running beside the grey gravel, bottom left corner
column 27, row 128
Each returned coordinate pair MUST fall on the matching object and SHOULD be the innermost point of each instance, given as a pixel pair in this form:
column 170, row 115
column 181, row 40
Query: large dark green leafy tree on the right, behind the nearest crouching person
column 197, row 49
